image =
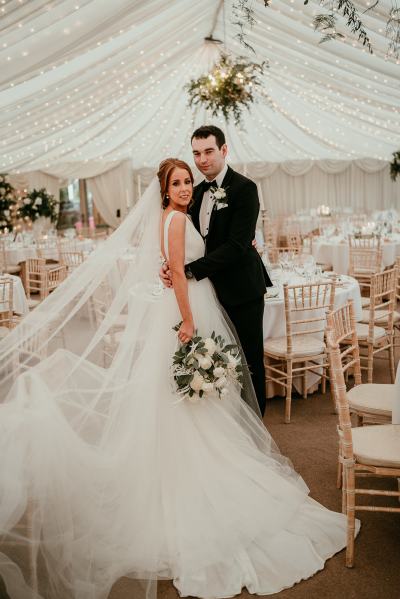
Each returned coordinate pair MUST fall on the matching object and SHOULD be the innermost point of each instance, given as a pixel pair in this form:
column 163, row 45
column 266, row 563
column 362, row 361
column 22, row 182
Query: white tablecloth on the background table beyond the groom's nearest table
column 336, row 252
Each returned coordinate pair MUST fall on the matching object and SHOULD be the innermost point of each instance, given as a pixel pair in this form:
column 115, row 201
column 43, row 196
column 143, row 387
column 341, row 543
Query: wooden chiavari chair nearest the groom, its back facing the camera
column 303, row 349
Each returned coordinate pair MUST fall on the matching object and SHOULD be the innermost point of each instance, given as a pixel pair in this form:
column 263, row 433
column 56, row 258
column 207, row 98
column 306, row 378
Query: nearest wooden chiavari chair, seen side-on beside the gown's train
column 367, row 451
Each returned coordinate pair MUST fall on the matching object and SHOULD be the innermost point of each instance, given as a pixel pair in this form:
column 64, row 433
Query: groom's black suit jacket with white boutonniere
column 231, row 262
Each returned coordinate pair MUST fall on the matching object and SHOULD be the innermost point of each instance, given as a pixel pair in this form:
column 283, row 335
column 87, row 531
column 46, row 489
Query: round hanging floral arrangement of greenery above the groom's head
column 228, row 88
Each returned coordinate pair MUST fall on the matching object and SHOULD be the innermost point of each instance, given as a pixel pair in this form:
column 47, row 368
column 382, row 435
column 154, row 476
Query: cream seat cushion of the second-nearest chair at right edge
column 372, row 398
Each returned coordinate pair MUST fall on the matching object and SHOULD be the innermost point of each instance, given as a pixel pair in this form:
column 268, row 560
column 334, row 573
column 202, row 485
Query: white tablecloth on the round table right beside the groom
column 274, row 322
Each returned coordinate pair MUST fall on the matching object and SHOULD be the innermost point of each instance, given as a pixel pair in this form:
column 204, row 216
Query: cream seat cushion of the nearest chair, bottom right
column 377, row 445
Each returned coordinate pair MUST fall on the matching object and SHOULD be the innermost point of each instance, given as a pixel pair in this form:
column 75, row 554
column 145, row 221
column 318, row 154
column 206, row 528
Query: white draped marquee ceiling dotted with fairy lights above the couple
column 85, row 84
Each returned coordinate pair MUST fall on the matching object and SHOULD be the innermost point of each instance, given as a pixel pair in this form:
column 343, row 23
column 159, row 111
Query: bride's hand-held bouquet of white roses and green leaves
column 203, row 367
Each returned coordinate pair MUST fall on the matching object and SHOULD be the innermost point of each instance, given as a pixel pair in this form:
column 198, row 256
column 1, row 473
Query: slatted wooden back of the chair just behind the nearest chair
column 342, row 326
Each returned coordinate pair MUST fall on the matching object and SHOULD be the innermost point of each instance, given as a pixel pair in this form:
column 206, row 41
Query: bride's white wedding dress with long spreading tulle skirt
column 154, row 488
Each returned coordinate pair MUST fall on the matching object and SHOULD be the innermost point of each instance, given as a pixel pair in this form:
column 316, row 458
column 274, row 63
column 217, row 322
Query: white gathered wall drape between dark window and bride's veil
column 113, row 191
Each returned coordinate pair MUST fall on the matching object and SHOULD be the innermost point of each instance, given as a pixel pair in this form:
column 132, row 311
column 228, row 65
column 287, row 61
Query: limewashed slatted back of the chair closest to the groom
column 306, row 308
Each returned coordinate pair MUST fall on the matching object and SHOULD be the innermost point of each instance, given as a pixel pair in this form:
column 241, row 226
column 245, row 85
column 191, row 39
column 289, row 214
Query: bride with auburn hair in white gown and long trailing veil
column 105, row 474
